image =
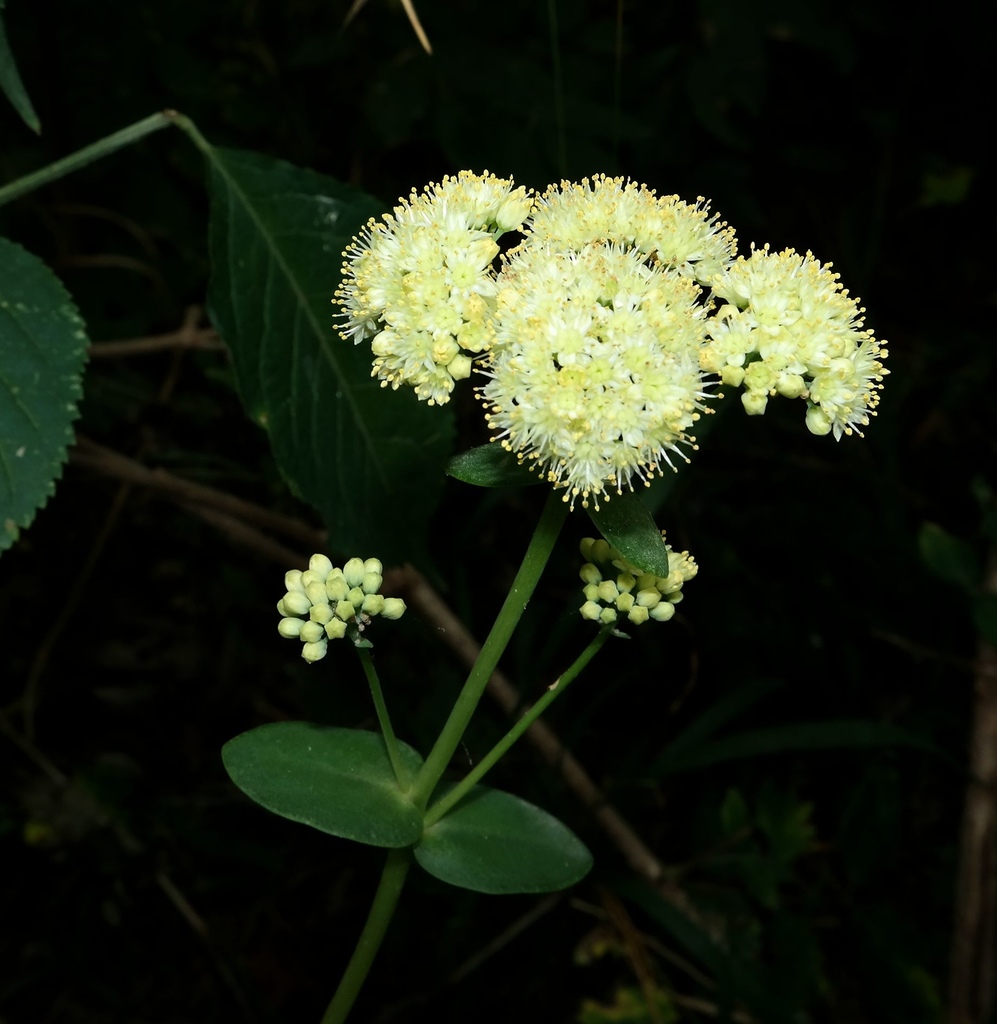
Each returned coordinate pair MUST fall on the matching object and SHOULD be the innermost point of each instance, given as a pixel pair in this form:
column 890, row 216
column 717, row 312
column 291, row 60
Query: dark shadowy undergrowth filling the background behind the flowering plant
column 150, row 890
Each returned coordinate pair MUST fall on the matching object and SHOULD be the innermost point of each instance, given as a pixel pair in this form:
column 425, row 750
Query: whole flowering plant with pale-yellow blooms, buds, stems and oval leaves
column 600, row 320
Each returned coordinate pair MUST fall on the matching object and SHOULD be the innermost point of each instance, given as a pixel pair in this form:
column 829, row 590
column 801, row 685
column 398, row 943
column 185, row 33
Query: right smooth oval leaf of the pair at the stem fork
column 494, row 842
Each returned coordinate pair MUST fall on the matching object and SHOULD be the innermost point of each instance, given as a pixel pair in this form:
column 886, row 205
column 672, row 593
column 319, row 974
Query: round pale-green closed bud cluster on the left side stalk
column 325, row 603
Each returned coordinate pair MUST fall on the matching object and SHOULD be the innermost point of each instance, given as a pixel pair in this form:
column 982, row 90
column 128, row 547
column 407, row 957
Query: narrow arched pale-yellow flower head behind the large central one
column 679, row 236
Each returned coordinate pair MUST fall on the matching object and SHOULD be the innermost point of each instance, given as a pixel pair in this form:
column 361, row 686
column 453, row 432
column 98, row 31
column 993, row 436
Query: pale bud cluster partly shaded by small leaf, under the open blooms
column 616, row 587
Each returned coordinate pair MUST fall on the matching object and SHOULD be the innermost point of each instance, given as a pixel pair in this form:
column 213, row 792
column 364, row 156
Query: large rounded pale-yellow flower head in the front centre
column 595, row 374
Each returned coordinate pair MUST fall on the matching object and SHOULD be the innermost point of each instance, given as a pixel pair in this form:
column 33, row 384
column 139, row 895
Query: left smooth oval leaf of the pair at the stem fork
column 337, row 781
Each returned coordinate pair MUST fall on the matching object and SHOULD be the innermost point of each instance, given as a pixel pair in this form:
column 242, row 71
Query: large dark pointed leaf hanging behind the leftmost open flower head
column 370, row 459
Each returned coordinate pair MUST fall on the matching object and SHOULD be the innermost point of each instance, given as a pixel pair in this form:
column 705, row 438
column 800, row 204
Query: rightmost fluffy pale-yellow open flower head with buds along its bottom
column 791, row 329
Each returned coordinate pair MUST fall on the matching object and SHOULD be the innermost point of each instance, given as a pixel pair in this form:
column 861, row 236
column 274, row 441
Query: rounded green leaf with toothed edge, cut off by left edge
column 44, row 351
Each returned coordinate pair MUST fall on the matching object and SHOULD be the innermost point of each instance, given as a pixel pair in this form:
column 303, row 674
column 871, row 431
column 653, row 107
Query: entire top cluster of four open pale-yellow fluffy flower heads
column 599, row 334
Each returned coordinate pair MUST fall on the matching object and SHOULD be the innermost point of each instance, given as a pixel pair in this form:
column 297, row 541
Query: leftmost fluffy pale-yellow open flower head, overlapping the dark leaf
column 420, row 284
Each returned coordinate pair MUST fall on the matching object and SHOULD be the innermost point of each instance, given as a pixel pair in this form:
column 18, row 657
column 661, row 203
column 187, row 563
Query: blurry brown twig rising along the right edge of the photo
column 972, row 969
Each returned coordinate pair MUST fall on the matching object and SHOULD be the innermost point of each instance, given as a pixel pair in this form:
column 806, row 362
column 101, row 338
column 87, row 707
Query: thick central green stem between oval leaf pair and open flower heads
column 555, row 513
